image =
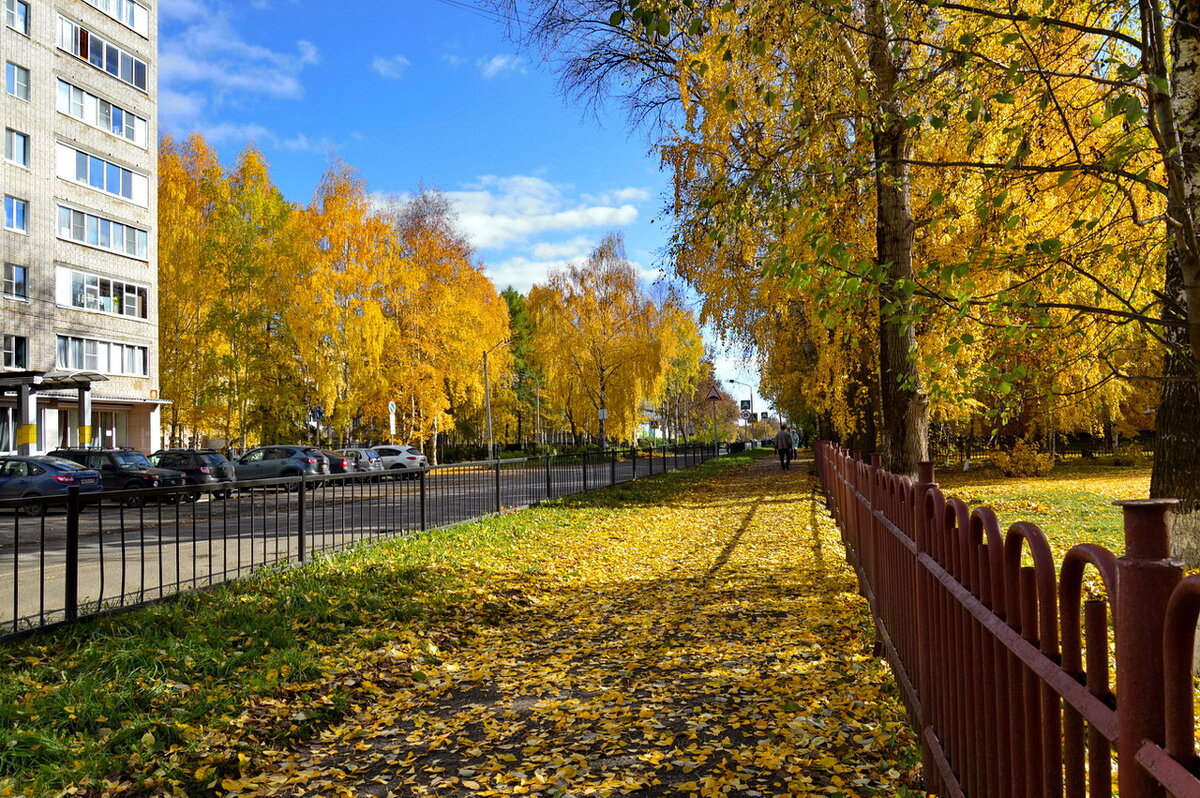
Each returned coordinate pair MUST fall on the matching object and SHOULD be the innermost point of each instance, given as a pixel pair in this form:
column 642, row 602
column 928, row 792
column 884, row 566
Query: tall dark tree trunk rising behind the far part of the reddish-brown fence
column 905, row 434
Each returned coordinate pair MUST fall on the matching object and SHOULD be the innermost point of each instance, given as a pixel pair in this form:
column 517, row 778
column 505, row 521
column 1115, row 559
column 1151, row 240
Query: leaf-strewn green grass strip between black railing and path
column 170, row 699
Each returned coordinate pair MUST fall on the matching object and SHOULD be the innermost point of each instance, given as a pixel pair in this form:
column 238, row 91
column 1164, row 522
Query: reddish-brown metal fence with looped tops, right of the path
column 1005, row 667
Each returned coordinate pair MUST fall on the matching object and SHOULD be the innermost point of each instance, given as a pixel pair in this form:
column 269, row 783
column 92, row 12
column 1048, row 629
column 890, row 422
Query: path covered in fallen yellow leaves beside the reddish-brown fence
column 712, row 647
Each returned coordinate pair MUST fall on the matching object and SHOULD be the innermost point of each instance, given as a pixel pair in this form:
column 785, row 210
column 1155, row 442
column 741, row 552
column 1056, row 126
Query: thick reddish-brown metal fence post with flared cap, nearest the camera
column 1148, row 577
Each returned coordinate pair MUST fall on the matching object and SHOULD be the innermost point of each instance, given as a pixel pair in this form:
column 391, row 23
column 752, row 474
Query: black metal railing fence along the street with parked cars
column 67, row 560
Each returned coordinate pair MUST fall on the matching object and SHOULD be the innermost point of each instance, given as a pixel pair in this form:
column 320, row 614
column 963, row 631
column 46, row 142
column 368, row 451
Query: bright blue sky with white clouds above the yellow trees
column 418, row 93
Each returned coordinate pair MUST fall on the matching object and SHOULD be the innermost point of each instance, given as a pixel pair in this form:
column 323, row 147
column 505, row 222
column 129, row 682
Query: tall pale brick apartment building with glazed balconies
column 79, row 307
